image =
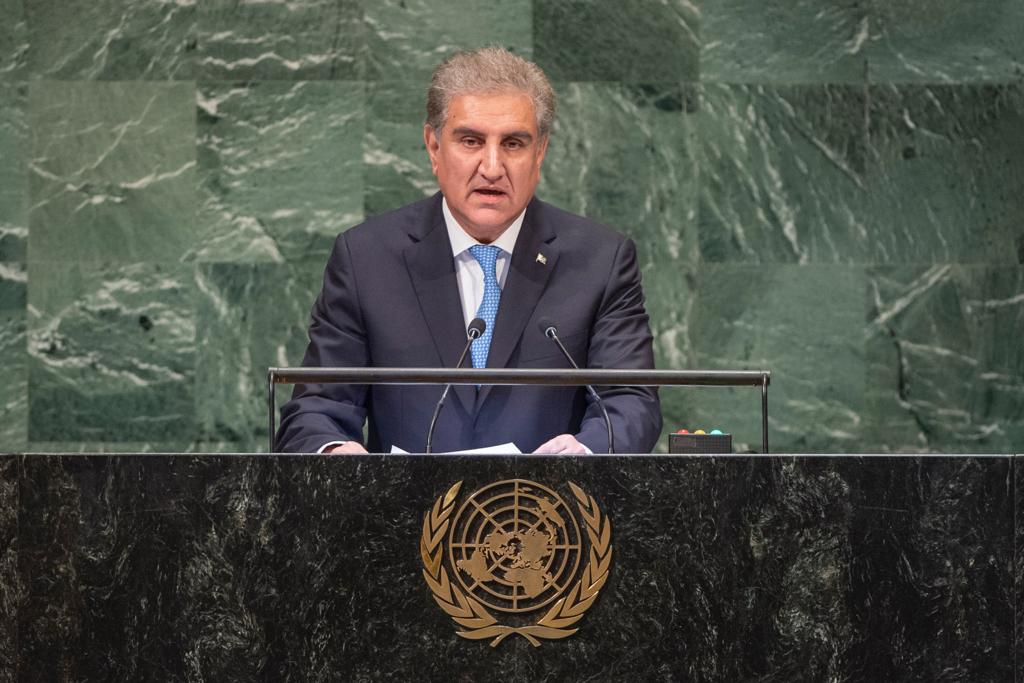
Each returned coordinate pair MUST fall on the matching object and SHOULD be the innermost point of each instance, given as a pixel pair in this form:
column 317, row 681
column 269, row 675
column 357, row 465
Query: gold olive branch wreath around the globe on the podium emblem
column 480, row 624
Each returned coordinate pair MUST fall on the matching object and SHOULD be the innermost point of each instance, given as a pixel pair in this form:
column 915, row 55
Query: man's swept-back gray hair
column 489, row 70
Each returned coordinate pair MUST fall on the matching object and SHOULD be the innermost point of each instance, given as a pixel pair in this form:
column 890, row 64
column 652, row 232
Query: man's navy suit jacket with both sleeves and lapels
column 391, row 300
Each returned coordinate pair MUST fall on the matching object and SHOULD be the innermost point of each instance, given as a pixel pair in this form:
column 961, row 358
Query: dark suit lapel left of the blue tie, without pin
column 432, row 269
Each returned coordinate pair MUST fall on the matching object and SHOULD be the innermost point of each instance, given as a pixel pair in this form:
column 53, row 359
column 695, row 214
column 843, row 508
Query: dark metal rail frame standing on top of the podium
column 544, row 377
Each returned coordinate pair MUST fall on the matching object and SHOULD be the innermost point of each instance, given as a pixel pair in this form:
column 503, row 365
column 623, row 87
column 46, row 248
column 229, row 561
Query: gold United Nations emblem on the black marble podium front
column 515, row 549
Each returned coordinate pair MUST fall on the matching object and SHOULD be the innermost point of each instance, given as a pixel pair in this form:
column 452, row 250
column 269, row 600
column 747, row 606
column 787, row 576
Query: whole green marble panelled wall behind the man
column 833, row 191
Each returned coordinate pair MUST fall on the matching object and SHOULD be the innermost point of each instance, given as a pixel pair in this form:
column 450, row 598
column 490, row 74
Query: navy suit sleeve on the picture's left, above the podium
column 319, row 414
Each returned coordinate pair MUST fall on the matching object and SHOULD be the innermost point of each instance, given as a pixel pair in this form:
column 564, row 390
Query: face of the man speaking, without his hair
column 488, row 160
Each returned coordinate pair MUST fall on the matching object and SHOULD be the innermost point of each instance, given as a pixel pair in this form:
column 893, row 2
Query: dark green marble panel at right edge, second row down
column 947, row 168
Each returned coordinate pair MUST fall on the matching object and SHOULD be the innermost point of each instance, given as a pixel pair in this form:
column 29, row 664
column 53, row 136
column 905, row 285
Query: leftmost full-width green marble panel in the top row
column 112, row 40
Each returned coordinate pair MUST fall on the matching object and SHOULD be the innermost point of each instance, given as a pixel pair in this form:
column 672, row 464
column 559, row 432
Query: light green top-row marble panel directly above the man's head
column 408, row 38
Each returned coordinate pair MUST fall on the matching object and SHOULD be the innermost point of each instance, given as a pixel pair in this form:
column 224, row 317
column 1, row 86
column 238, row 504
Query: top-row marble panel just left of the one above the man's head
column 301, row 40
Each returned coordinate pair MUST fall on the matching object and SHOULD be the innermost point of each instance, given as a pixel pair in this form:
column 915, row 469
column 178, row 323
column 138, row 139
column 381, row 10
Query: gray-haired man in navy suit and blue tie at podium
column 401, row 290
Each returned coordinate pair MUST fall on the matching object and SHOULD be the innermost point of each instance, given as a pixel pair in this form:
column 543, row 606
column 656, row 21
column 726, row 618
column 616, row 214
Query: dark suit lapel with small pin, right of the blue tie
column 534, row 261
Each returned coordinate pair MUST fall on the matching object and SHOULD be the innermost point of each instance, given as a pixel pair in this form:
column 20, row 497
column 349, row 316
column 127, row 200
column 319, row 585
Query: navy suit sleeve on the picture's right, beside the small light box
column 622, row 339
